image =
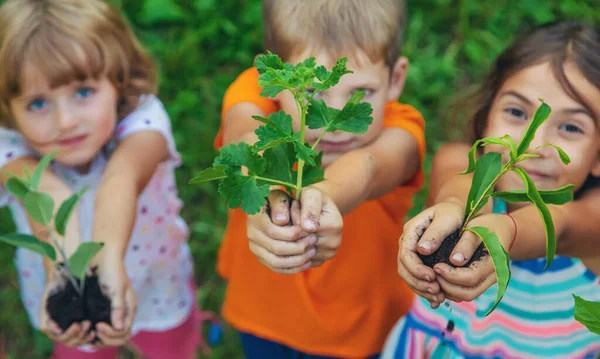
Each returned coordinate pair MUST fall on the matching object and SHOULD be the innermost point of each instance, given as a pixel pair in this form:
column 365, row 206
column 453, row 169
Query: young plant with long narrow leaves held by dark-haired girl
column 487, row 170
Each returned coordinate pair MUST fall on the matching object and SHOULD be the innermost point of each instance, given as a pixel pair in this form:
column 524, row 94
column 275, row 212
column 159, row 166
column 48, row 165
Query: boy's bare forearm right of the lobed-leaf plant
column 372, row 171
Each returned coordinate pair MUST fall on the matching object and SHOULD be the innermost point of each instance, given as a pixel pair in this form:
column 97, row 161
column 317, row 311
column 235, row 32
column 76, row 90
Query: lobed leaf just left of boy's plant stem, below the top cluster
column 277, row 129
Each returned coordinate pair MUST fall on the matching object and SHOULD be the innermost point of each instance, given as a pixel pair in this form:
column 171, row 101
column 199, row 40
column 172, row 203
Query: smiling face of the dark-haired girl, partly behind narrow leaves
column 570, row 126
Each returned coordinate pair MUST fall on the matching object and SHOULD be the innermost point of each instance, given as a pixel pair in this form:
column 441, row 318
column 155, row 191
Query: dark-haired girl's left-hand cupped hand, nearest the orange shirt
column 424, row 234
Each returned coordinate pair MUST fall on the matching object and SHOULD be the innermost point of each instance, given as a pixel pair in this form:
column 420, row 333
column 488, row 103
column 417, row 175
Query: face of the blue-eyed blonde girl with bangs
column 76, row 119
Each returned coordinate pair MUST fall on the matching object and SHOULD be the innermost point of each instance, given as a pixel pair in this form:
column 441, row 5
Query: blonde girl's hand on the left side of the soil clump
column 77, row 334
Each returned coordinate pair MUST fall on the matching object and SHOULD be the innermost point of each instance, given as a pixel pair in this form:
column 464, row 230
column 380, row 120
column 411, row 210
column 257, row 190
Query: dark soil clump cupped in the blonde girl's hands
column 66, row 306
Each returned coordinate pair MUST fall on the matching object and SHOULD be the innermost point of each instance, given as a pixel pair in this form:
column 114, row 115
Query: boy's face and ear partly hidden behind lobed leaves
column 376, row 80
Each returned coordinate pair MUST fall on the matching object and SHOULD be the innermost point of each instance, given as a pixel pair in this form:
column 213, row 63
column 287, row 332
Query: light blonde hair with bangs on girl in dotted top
column 71, row 40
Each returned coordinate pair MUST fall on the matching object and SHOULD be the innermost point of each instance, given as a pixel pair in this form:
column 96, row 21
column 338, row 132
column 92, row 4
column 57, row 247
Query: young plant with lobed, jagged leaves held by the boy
column 281, row 156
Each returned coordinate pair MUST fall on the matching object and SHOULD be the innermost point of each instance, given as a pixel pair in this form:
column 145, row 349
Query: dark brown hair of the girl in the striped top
column 555, row 42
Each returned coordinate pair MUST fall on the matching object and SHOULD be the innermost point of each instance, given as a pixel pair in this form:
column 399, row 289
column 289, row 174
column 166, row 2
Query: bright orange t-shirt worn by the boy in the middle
column 346, row 307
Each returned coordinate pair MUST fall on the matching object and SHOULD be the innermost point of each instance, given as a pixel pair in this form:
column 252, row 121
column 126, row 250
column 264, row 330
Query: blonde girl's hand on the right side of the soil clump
column 115, row 284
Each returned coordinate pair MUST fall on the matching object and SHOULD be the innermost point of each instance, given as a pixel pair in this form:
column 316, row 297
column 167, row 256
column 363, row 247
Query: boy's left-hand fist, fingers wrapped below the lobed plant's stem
column 281, row 247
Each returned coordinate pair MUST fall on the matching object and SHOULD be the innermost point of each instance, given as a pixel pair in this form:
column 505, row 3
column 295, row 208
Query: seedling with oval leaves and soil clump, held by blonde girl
column 40, row 207
